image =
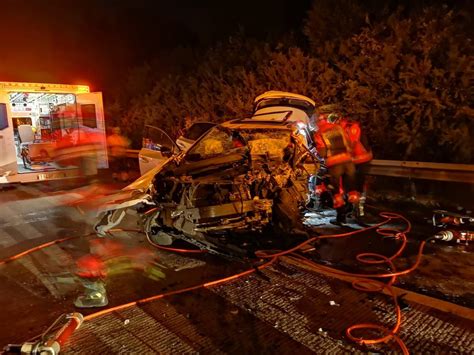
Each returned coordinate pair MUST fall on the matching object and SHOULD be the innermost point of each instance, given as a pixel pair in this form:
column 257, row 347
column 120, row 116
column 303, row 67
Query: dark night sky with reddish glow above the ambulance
column 96, row 41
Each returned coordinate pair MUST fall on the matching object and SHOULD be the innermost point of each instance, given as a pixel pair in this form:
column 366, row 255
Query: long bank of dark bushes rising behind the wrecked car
column 404, row 76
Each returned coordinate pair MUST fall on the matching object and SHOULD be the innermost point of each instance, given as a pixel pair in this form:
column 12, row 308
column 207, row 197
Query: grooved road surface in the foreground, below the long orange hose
column 288, row 310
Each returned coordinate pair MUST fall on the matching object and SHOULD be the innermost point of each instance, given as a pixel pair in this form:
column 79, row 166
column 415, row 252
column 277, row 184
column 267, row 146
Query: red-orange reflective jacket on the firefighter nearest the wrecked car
column 332, row 143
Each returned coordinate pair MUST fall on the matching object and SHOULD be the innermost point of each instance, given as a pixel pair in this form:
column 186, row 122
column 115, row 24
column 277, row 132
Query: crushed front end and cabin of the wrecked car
column 243, row 177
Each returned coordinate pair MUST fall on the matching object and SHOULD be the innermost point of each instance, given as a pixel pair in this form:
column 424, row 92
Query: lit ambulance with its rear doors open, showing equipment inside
column 35, row 118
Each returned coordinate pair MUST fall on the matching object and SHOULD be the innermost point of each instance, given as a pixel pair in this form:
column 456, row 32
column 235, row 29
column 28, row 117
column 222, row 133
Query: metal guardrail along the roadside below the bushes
column 409, row 169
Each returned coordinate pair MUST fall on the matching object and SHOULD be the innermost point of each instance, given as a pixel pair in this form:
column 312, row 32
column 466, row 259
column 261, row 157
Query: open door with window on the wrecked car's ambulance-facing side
column 157, row 147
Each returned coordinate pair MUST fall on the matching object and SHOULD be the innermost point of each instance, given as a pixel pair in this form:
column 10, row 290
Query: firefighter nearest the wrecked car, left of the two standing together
column 334, row 146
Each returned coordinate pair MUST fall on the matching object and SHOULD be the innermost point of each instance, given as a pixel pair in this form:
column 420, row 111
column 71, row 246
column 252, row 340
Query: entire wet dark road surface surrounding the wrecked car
column 280, row 311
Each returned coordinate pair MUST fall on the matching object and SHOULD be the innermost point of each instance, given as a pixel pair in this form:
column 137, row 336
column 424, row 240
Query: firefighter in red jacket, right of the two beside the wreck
column 361, row 157
